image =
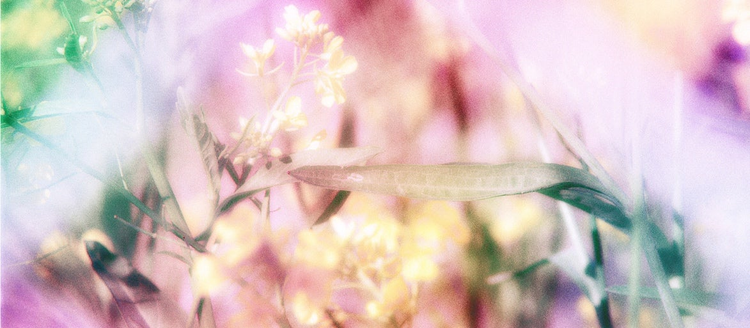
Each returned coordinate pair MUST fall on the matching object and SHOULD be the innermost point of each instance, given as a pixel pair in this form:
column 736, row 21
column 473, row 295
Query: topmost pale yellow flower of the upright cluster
column 302, row 30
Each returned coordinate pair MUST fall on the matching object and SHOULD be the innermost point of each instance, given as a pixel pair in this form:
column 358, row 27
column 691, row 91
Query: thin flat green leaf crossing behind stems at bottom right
column 683, row 296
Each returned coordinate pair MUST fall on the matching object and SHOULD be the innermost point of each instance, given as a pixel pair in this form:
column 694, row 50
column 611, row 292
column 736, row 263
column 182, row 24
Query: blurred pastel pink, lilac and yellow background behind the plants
column 658, row 91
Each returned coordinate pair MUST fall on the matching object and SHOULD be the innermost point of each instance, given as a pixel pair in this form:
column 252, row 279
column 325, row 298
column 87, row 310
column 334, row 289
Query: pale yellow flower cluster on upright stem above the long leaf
column 314, row 45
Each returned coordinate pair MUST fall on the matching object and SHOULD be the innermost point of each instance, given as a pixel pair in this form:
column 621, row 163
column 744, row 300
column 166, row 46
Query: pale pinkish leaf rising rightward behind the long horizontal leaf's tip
column 276, row 173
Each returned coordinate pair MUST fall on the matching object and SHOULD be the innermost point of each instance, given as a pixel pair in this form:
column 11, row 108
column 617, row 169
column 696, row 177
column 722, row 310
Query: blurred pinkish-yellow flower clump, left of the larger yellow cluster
column 245, row 254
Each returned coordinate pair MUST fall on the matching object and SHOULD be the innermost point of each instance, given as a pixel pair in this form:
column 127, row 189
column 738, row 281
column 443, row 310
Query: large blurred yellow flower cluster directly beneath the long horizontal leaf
column 367, row 256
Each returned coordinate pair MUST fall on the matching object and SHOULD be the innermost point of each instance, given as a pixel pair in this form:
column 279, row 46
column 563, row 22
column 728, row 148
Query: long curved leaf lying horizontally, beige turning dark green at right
column 467, row 182
